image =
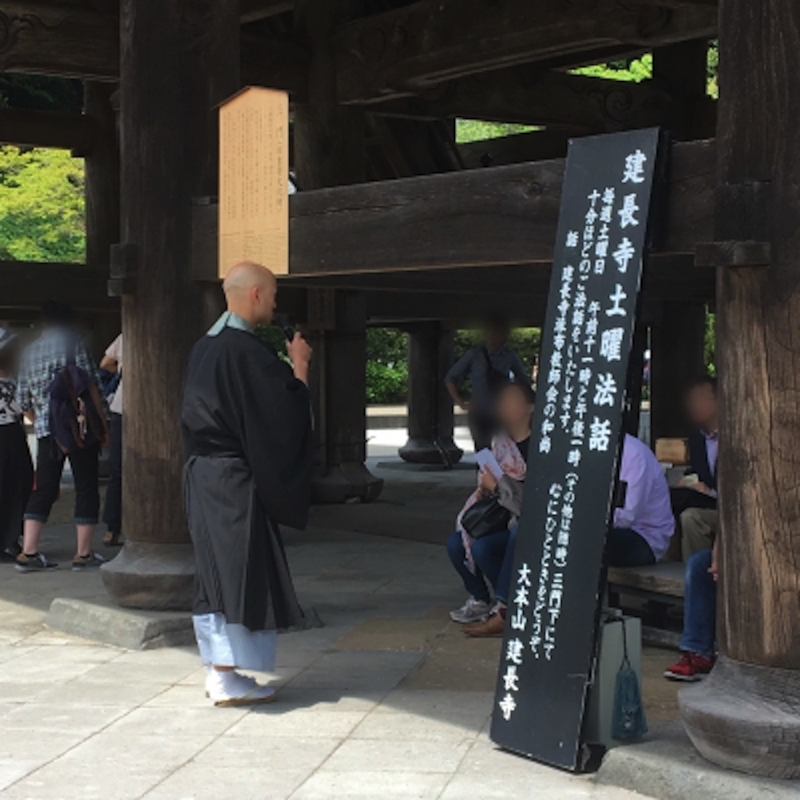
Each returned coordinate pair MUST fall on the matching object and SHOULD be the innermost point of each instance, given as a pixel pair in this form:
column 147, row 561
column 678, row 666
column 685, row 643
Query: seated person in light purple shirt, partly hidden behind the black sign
column 644, row 526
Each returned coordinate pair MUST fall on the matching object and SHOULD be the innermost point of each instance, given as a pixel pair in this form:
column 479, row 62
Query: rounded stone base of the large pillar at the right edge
column 747, row 718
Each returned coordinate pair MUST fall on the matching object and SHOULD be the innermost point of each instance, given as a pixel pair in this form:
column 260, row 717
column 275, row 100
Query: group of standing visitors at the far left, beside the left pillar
column 54, row 384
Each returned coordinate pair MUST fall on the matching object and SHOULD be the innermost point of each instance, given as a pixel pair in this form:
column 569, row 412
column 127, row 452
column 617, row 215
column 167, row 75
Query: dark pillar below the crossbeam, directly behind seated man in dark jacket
column 677, row 355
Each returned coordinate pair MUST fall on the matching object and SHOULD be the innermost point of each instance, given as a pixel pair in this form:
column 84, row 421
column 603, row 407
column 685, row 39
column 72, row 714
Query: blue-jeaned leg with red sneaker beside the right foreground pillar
column 699, row 618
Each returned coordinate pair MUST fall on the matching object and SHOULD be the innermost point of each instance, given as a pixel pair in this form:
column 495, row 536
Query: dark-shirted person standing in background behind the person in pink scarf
column 488, row 367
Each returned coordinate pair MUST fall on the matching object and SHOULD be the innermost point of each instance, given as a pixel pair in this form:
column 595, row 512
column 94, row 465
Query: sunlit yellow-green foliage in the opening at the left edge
column 41, row 205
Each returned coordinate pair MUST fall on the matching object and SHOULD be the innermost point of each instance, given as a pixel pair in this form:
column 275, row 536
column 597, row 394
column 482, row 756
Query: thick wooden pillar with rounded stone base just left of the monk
column 178, row 59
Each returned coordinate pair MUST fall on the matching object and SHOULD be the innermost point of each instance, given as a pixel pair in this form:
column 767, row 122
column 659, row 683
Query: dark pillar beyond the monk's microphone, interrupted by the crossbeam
column 330, row 151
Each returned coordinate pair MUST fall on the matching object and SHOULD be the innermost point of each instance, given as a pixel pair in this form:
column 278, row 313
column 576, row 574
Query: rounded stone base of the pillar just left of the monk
column 156, row 577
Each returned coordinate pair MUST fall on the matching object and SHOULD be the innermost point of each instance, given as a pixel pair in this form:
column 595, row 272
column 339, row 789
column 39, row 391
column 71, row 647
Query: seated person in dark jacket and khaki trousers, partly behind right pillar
column 698, row 503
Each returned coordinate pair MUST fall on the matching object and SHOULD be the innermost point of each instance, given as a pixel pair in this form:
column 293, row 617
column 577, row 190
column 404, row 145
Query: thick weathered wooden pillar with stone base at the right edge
column 747, row 714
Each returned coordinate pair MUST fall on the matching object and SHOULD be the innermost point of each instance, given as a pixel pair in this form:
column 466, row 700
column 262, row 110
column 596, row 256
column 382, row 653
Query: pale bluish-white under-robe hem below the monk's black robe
column 231, row 645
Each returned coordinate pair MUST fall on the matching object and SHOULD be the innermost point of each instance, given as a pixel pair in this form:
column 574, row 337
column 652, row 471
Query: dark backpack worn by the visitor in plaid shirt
column 76, row 416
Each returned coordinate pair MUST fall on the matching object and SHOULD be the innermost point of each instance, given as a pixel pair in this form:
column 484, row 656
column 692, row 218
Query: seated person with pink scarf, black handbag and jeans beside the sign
column 478, row 561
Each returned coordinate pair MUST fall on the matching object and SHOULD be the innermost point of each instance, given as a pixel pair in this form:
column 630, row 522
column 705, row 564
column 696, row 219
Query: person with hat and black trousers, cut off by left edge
column 16, row 468
